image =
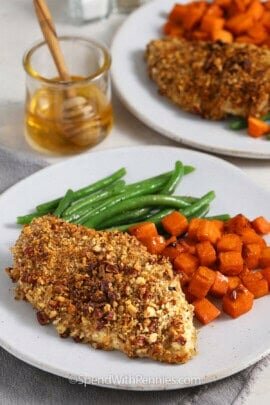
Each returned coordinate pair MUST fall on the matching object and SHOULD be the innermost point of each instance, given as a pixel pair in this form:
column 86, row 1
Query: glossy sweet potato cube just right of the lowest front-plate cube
column 237, row 302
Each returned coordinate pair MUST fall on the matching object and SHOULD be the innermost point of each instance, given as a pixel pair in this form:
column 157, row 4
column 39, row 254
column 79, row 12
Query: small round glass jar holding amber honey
column 68, row 117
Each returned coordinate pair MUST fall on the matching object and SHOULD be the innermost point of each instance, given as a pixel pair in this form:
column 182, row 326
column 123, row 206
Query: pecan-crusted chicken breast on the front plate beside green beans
column 103, row 288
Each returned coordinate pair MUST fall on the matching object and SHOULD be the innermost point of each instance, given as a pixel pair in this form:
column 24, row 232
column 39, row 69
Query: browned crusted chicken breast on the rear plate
column 211, row 79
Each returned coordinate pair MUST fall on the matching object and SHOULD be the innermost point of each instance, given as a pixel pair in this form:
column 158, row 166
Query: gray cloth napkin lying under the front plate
column 25, row 385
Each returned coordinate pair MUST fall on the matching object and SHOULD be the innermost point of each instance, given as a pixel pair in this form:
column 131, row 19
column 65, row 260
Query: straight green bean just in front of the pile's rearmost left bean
column 88, row 201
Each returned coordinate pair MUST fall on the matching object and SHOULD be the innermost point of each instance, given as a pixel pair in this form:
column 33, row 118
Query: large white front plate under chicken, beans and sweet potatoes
column 225, row 347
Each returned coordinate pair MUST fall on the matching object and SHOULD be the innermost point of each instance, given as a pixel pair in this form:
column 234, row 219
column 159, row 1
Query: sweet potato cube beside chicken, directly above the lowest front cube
column 201, row 282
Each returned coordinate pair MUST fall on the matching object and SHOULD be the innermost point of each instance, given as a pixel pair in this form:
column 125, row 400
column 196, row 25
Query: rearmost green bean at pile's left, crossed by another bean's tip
column 82, row 192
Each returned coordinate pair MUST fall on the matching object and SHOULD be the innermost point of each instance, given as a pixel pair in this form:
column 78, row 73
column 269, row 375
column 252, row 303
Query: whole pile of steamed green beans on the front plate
column 110, row 203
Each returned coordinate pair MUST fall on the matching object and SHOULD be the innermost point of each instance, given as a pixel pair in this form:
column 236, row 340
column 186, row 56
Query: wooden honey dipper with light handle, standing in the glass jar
column 75, row 108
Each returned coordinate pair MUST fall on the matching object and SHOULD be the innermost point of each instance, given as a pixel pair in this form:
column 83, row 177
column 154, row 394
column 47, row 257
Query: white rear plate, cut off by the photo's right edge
column 139, row 93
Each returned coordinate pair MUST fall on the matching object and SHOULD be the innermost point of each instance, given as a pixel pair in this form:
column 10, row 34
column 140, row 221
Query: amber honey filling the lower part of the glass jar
column 45, row 126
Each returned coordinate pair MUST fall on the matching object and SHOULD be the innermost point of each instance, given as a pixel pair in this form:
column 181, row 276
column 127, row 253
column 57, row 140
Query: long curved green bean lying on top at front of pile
column 134, row 203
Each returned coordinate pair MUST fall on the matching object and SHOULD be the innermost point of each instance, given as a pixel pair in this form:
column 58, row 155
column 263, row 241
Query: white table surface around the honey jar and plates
column 18, row 30
